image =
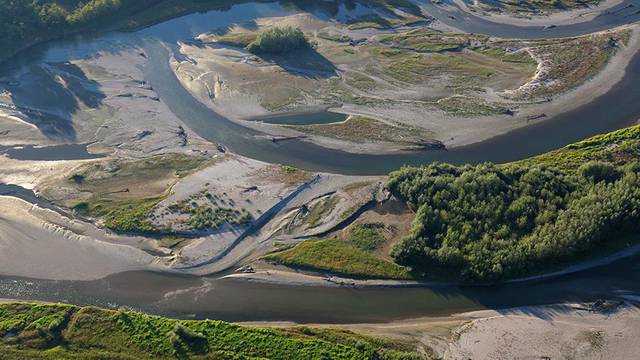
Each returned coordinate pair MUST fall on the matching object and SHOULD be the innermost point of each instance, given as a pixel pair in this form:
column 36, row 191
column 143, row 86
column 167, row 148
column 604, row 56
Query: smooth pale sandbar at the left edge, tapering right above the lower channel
column 33, row 247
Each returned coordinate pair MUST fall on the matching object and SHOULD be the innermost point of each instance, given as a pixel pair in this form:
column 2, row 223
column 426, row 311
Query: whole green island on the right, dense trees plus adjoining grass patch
column 491, row 222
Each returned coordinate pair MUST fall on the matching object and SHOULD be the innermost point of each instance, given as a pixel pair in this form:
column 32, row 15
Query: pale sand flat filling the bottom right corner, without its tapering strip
column 557, row 332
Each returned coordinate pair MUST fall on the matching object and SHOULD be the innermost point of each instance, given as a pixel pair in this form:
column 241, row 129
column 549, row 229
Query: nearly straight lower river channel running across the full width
column 197, row 297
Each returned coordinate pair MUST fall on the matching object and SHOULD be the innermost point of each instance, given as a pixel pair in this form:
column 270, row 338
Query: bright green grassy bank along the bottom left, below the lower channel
column 70, row 332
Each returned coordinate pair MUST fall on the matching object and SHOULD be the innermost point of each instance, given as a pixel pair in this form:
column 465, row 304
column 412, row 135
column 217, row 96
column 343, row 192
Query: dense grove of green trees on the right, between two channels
column 489, row 222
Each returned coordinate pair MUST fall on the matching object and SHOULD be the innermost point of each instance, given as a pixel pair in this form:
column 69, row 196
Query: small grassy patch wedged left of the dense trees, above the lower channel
column 339, row 257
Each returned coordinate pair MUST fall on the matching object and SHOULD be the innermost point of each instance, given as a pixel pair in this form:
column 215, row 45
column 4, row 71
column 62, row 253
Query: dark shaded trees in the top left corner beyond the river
column 23, row 22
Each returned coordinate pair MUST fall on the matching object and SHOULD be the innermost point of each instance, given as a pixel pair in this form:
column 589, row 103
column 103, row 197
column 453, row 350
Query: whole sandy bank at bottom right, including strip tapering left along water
column 556, row 331
